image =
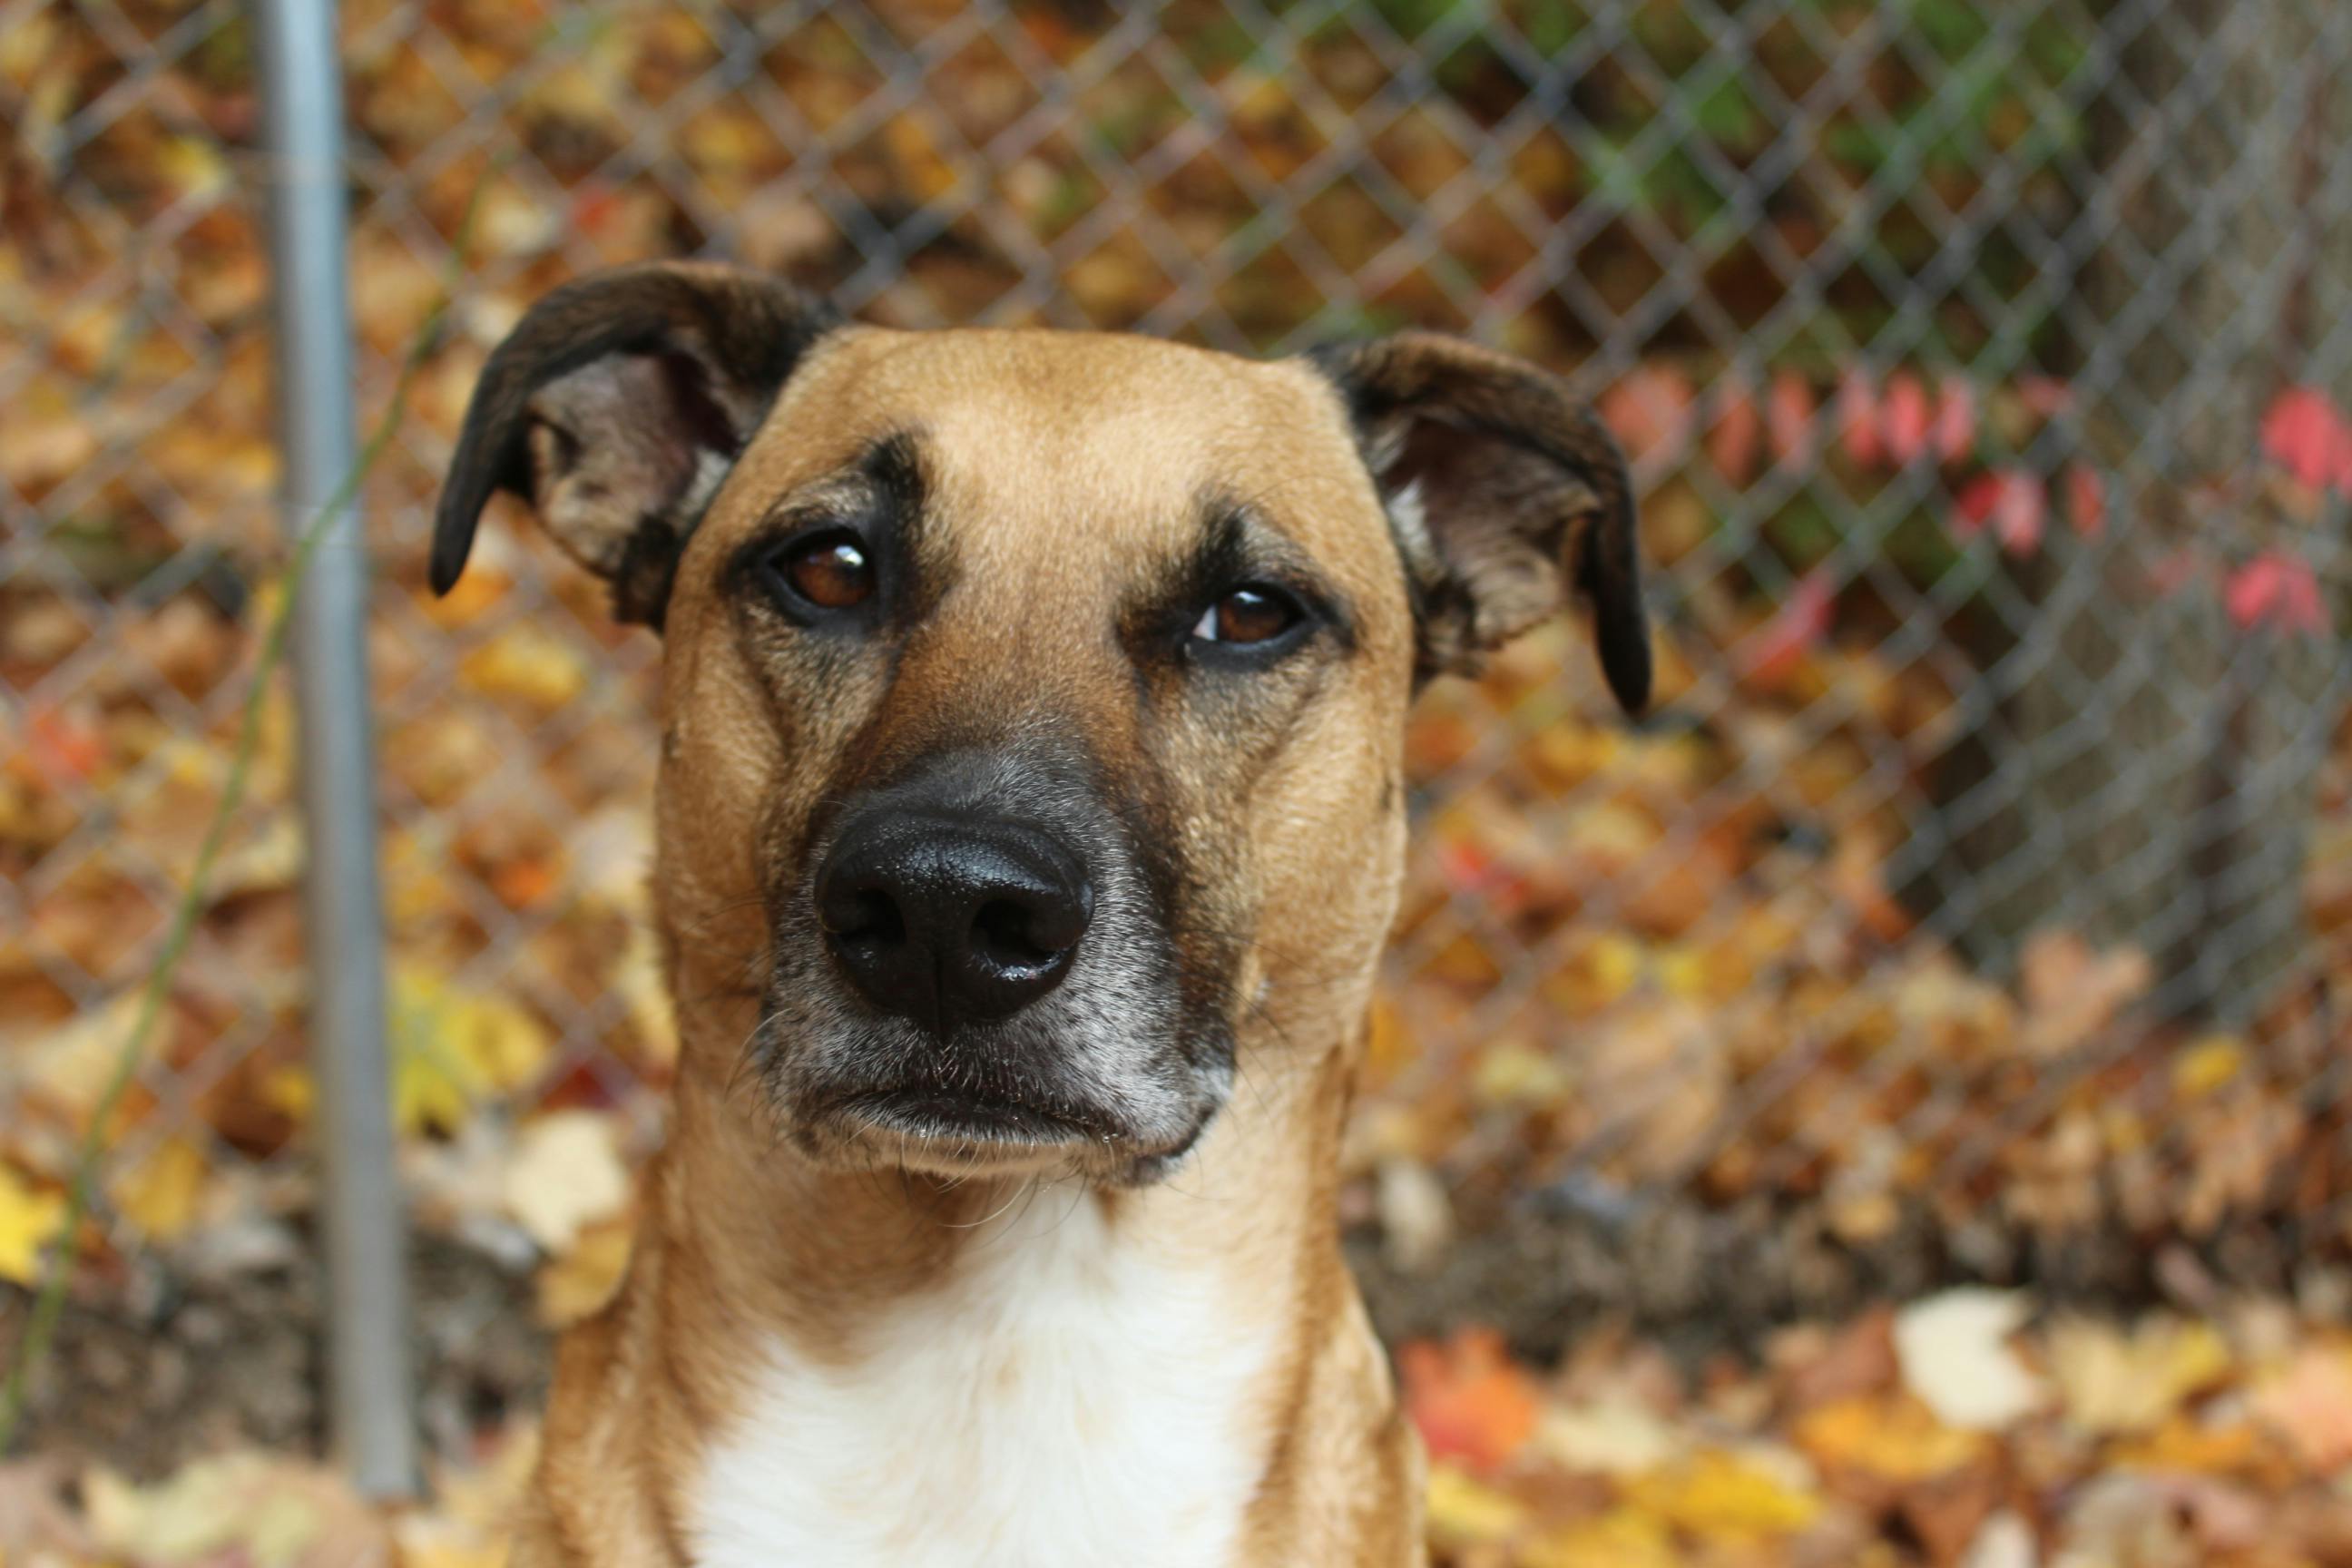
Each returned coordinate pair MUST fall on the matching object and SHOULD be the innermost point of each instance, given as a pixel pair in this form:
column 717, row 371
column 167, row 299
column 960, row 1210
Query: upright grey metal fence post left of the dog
column 363, row 1226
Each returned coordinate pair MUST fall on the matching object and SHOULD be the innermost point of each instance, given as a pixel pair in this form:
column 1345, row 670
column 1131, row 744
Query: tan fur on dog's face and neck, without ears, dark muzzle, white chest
column 1057, row 460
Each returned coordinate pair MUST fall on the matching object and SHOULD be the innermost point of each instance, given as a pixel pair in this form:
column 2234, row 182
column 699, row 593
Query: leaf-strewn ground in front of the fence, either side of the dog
column 1972, row 1428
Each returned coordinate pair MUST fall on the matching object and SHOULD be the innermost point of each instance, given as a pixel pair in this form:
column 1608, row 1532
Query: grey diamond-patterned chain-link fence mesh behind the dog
column 1977, row 902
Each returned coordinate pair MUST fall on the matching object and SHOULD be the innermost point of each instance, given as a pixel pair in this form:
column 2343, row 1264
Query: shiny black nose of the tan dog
column 947, row 920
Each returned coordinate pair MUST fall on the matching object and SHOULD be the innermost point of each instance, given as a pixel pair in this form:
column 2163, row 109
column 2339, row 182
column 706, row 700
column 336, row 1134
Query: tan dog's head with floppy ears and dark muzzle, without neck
column 1036, row 697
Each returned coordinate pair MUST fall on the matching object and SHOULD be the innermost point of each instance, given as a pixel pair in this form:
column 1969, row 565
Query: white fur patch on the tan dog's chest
column 1062, row 1400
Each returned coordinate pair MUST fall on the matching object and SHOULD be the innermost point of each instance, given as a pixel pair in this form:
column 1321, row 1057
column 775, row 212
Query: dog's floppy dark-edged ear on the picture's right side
column 1506, row 495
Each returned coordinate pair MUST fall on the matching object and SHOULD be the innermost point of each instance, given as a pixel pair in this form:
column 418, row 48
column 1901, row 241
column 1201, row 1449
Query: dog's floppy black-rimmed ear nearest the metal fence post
column 615, row 408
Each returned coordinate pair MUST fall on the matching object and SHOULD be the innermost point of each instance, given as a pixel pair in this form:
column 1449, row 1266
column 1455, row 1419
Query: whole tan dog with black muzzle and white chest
column 1029, row 829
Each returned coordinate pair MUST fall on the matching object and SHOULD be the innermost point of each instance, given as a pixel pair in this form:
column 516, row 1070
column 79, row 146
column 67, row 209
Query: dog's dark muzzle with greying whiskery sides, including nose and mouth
column 977, row 967
